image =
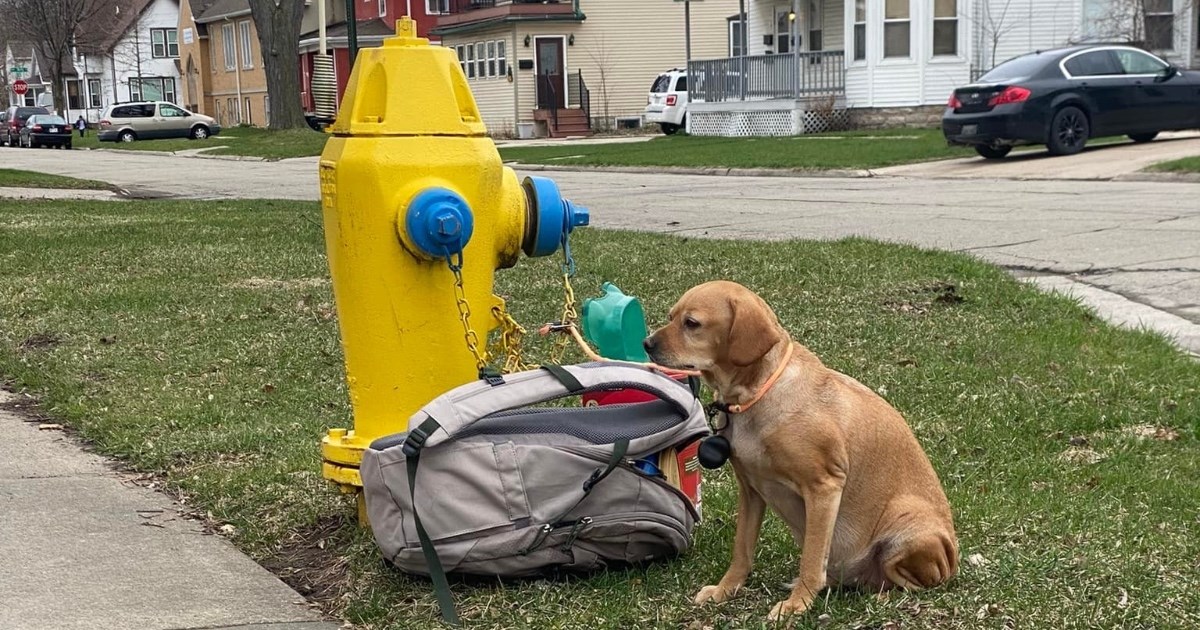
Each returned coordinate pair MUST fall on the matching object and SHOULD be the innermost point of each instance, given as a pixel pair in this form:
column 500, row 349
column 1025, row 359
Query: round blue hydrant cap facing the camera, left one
column 439, row 221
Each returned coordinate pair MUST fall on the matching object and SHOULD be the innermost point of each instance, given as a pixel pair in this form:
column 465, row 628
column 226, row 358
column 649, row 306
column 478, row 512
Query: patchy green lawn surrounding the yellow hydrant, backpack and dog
column 199, row 341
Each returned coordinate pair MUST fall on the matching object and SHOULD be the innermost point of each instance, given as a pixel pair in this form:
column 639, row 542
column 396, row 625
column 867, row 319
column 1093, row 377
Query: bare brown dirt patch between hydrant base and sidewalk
column 314, row 562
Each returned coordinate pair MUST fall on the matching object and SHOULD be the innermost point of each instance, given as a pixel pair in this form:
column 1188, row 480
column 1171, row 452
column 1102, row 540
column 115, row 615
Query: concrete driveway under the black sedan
column 1100, row 163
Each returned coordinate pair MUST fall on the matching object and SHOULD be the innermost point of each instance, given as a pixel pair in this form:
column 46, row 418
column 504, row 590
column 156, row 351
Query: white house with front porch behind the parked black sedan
column 811, row 63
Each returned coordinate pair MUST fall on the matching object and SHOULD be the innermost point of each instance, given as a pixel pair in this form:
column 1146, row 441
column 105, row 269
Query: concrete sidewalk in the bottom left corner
column 83, row 549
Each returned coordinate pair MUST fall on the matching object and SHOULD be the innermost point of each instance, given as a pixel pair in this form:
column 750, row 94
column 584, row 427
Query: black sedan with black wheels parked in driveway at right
column 1063, row 98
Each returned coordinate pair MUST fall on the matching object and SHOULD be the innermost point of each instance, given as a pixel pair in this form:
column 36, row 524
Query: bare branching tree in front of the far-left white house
column 57, row 27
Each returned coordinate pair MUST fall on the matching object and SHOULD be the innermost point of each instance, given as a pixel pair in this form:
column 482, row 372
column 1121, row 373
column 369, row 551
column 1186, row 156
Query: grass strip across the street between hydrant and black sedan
column 859, row 149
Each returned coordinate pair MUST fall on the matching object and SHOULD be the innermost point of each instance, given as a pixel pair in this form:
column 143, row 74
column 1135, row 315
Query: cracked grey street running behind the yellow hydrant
column 1138, row 239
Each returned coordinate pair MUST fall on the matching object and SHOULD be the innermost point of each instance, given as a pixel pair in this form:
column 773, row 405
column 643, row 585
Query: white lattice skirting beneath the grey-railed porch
column 740, row 121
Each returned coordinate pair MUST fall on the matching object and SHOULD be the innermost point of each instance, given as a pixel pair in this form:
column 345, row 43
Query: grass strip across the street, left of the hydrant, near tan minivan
column 237, row 141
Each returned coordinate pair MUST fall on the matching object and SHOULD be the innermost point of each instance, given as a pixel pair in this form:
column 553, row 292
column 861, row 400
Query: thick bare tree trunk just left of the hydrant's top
column 279, row 31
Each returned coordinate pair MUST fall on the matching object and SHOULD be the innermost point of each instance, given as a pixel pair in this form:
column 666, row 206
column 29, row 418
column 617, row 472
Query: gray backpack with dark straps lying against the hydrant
column 505, row 489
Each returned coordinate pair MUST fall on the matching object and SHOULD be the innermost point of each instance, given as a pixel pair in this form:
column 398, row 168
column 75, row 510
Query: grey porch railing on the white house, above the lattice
column 767, row 77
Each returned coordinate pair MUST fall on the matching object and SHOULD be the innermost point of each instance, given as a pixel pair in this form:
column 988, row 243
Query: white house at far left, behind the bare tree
column 136, row 61
